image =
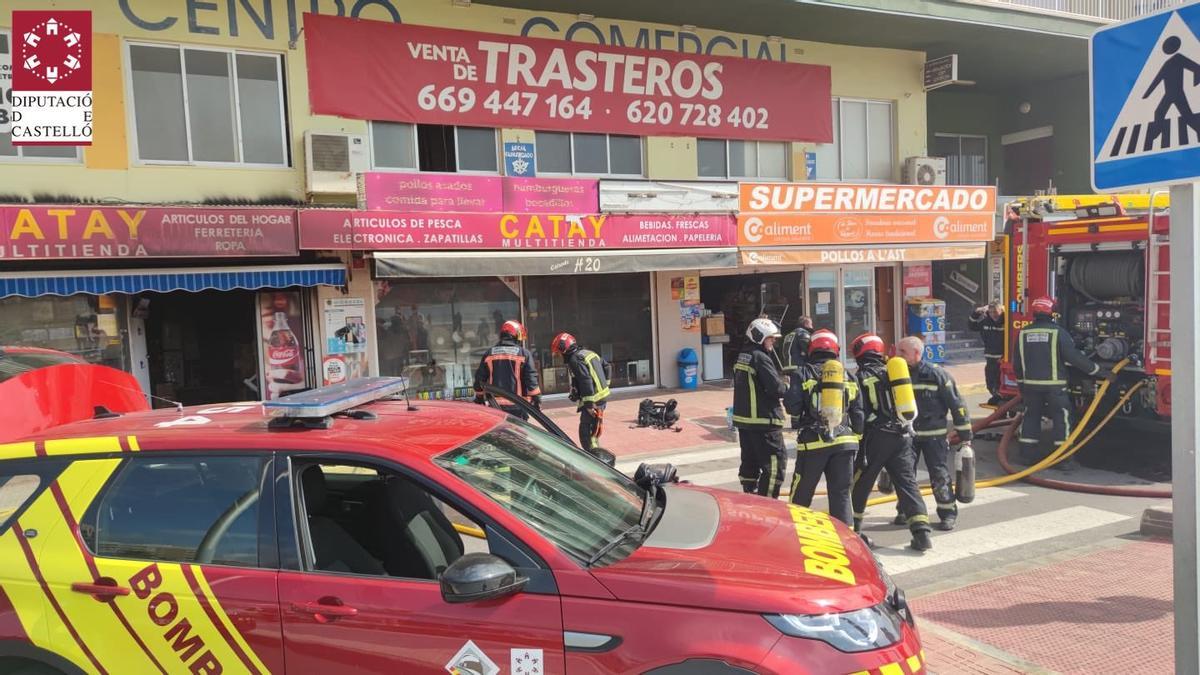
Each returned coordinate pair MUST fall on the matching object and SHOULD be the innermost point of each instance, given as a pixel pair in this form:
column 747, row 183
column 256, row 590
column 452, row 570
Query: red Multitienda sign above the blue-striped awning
column 62, row 232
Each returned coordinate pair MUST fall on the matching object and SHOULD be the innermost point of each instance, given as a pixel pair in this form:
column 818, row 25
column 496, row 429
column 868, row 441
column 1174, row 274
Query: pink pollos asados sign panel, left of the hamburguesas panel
column 431, row 193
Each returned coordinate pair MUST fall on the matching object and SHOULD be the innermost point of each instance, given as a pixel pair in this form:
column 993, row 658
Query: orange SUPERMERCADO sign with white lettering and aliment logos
column 785, row 214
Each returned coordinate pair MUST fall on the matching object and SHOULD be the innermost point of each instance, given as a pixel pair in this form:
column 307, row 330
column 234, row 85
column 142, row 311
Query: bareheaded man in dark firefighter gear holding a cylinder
column 937, row 396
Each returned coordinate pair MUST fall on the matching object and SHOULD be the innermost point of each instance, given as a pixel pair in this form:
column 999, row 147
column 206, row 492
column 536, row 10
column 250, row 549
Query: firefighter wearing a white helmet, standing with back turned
column 758, row 415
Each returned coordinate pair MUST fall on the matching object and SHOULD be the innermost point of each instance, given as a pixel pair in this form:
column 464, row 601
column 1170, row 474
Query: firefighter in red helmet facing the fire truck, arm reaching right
column 1043, row 351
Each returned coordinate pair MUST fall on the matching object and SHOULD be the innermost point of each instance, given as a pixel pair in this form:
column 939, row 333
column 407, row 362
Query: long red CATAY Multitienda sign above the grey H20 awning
column 387, row 231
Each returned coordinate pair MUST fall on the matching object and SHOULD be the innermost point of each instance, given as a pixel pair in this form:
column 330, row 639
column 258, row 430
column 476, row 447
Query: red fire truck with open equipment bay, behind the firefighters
column 1106, row 261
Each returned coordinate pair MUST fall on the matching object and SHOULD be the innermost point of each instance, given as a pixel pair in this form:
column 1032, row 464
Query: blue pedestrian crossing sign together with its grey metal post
column 1145, row 75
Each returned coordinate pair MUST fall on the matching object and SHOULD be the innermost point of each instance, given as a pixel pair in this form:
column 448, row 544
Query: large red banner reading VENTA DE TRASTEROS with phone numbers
column 401, row 73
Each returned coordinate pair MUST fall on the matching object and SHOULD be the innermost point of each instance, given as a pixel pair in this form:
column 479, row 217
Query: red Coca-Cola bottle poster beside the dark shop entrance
column 285, row 337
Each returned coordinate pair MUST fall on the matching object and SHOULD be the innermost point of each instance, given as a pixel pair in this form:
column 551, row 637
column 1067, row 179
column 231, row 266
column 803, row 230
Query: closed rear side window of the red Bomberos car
column 176, row 510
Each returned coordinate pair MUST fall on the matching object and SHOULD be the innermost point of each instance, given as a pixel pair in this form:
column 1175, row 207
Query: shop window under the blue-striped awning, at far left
column 92, row 327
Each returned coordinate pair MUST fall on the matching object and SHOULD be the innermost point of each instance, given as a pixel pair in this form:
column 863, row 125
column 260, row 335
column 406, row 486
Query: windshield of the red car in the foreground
column 574, row 500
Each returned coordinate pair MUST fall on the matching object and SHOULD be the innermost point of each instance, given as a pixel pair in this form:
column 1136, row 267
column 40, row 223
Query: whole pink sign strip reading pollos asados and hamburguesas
column 423, row 193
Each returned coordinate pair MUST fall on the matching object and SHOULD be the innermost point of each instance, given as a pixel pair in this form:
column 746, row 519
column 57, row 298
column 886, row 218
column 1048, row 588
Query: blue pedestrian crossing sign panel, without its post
column 1145, row 97
